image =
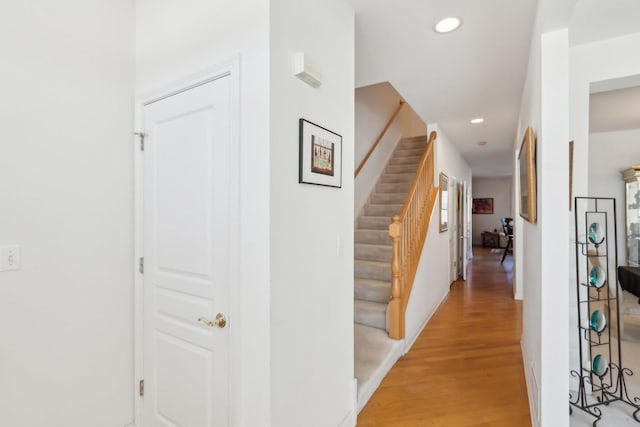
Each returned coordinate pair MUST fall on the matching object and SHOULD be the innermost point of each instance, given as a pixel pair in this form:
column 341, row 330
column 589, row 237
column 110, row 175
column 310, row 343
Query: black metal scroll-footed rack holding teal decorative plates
column 601, row 370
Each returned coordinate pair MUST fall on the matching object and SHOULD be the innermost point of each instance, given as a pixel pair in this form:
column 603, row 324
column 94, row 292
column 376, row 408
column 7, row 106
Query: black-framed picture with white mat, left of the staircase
column 320, row 155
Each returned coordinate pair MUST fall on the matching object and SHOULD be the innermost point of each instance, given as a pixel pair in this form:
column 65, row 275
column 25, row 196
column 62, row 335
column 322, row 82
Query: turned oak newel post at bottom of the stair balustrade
column 396, row 317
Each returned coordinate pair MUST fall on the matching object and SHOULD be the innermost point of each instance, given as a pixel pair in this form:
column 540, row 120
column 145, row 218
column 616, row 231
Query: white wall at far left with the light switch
column 66, row 171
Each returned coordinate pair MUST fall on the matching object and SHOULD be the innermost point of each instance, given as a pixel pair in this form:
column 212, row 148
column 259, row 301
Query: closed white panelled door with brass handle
column 186, row 257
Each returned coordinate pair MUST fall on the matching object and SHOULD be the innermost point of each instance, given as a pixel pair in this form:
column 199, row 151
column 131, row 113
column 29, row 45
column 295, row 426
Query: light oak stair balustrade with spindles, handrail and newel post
column 408, row 231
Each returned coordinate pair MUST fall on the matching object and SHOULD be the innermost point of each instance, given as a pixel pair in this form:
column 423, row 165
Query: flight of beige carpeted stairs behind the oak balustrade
column 373, row 248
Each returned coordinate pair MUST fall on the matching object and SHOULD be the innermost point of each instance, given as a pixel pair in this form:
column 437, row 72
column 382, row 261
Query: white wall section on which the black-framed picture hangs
column 311, row 226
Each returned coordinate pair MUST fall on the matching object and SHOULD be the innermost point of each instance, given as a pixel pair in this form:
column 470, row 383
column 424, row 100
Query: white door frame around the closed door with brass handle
column 228, row 69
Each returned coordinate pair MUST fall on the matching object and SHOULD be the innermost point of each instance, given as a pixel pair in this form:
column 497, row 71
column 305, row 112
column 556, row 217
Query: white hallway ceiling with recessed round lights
column 475, row 71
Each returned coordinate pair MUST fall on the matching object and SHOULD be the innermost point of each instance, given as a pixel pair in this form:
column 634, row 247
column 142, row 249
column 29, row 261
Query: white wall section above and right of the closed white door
column 173, row 41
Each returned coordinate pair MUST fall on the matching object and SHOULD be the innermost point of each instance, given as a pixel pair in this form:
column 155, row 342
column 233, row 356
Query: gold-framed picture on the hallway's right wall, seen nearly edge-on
column 527, row 175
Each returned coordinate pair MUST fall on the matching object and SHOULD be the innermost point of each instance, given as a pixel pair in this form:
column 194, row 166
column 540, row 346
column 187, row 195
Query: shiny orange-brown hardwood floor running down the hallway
column 466, row 368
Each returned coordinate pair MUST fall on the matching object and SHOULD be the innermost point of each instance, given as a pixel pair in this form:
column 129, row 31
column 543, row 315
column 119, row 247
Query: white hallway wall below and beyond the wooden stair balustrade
column 433, row 276
